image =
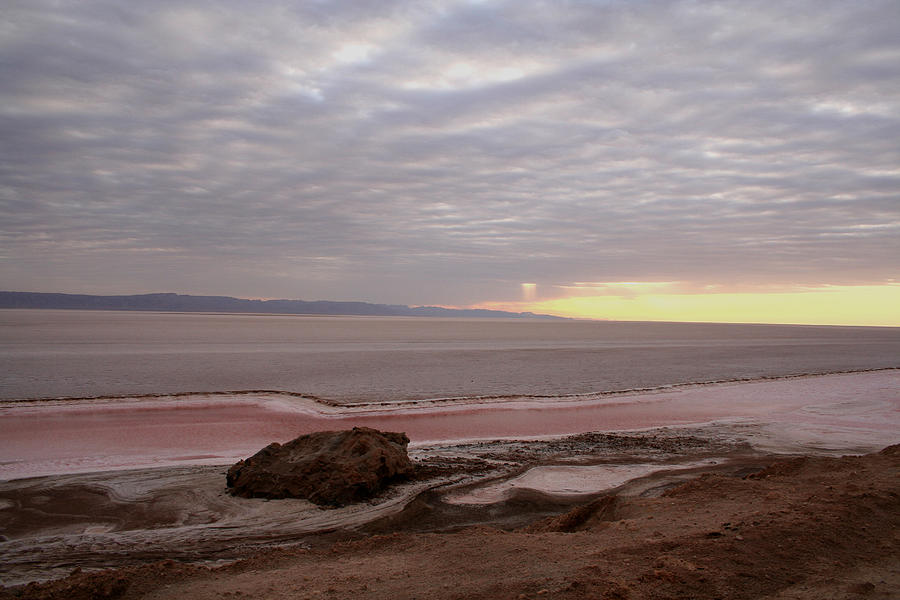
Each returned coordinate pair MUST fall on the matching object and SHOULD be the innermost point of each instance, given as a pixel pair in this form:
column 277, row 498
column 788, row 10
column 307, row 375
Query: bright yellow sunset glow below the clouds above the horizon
column 877, row 305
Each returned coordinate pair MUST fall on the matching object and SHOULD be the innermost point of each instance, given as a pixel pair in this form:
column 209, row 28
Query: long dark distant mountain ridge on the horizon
column 187, row 303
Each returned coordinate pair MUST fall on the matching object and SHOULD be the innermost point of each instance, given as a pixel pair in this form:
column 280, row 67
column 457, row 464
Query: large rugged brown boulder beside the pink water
column 327, row 467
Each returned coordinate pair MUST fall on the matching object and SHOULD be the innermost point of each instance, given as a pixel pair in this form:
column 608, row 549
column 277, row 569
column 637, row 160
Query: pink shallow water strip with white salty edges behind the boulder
column 856, row 412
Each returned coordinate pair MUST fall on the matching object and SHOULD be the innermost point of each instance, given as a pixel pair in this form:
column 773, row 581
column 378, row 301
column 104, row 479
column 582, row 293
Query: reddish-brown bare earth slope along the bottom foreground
column 803, row 528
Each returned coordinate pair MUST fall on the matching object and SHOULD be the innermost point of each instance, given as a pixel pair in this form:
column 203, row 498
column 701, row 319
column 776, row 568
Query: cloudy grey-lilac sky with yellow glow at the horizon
column 681, row 160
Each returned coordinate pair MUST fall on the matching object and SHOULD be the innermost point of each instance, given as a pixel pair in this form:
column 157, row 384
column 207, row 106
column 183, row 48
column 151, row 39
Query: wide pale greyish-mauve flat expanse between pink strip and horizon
column 48, row 354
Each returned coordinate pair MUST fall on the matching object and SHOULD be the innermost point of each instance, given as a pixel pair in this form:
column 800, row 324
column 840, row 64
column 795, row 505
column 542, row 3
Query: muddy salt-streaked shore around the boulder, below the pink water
column 61, row 522
